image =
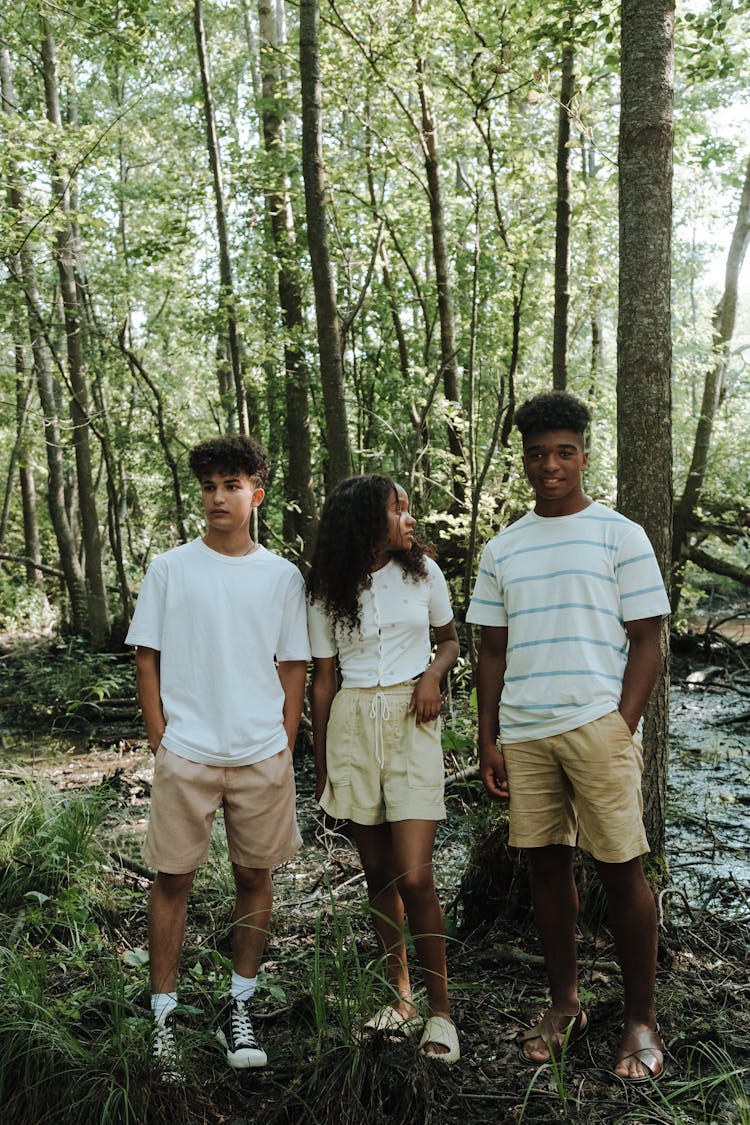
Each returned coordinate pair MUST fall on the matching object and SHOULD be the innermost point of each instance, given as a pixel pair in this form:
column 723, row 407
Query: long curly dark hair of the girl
column 354, row 527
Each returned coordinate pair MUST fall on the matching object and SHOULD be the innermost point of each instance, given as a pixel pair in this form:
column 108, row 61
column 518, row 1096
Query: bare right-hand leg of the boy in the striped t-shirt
column 634, row 922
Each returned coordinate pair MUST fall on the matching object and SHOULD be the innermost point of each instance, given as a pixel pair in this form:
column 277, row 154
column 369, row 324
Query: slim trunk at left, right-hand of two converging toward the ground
column 82, row 426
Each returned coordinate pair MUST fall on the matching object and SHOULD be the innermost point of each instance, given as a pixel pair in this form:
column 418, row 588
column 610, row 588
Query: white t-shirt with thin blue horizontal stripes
column 564, row 587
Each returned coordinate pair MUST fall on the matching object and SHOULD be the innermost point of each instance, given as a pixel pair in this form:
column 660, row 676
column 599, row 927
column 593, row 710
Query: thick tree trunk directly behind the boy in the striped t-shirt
column 645, row 485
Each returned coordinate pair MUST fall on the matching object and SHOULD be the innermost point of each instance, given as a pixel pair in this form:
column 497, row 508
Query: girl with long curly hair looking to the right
column 374, row 598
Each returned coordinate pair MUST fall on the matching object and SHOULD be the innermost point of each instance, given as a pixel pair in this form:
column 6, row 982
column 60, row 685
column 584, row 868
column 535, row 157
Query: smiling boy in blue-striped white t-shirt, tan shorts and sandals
column 571, row 600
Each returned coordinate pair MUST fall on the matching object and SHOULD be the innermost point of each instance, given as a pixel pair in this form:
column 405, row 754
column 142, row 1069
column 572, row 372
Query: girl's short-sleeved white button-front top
column 393, row 643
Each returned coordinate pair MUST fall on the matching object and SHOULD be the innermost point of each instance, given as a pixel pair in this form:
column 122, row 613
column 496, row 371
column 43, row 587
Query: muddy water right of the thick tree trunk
column 709, row 791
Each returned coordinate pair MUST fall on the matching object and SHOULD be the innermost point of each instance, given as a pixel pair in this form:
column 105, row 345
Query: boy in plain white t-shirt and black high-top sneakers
column 221, row 663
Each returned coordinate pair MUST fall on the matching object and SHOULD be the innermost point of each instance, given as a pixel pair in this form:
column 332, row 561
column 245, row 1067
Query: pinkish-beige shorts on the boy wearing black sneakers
column 259, row 813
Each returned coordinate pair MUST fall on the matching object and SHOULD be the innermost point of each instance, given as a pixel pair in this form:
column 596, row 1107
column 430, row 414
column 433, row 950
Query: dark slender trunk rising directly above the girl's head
column 332, row 368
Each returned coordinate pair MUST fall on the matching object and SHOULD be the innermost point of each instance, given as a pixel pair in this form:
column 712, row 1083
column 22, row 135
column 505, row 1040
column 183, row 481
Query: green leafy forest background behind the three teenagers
column 362, row 232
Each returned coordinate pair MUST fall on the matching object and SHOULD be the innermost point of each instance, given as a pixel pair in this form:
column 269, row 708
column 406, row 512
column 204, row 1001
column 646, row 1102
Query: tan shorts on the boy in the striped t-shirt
column 583, row 787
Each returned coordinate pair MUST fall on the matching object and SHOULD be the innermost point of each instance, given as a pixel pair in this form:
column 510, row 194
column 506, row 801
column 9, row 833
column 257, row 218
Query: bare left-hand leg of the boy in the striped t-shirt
column 556, row 912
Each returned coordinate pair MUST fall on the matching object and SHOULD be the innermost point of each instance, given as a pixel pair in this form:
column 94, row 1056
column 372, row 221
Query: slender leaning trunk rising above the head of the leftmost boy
column 228, row 296
